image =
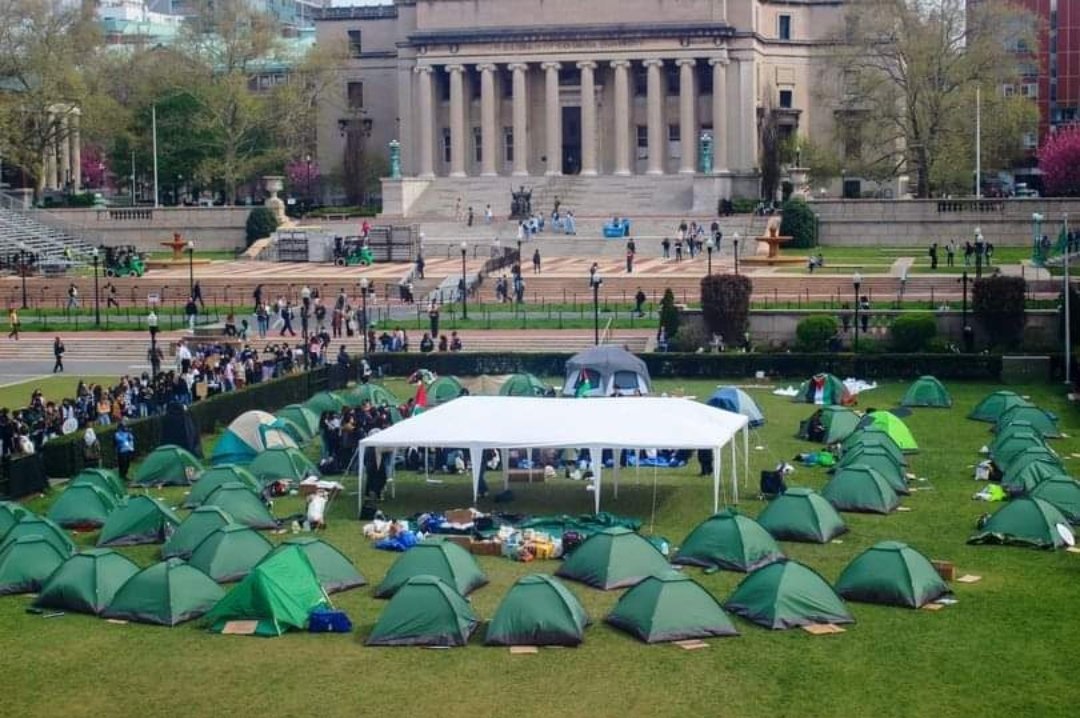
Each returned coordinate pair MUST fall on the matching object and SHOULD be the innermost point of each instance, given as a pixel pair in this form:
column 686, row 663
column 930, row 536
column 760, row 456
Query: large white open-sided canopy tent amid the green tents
column 509, row 423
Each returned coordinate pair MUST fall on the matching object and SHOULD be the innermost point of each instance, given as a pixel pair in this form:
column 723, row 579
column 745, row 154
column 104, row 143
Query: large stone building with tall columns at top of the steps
column 518, row 91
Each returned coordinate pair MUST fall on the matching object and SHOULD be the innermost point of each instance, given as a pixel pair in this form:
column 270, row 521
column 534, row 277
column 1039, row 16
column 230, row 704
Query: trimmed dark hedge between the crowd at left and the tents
column 63, row 456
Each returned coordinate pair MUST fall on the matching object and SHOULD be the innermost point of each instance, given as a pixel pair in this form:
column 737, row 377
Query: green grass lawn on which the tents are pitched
column 1004, row 651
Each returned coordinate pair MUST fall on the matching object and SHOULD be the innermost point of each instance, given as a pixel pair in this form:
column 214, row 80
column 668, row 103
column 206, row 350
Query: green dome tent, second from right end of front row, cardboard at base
column 786, row 595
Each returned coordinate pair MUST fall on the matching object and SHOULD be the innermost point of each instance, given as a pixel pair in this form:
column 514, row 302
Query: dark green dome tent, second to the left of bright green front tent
column 87, row 582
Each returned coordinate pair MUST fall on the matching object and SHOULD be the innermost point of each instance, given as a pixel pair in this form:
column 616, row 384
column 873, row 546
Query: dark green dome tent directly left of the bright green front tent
column 167, row 594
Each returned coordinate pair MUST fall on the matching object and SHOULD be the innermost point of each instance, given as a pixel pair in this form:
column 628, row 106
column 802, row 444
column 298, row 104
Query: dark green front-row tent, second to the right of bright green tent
column 538, row 611
